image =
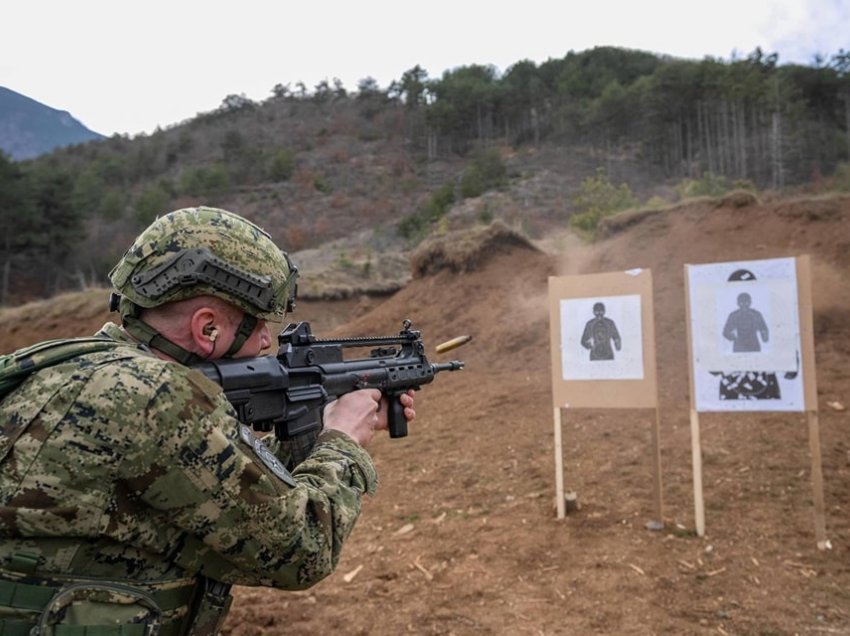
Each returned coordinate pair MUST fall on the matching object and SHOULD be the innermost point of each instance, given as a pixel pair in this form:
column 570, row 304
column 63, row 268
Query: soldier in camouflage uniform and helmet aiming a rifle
column 132, row 498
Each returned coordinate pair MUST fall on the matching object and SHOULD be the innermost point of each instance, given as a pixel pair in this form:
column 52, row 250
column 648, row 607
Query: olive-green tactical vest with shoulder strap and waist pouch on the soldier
column 33, row 605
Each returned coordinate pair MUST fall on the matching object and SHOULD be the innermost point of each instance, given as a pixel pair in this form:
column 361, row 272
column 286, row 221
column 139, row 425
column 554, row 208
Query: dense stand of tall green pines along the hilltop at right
column 748, row 118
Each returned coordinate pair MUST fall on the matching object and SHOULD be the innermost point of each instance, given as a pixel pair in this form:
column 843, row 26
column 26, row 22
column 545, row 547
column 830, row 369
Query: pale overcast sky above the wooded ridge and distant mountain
column 128, row 67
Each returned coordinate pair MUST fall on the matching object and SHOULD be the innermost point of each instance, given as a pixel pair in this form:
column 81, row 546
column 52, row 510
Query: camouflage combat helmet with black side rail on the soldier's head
column 206, row 251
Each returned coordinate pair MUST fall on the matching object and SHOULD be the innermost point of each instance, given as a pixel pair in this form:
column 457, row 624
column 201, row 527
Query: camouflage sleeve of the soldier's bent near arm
column 239, row 521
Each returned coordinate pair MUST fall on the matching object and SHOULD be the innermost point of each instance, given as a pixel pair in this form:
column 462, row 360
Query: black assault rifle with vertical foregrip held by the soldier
column 287, row 393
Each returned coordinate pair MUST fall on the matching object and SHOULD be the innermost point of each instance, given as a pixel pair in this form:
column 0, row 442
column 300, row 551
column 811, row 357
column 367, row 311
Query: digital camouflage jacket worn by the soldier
column 128, row 468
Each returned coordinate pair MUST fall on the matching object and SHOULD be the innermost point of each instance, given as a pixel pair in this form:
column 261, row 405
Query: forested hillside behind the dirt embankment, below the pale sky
column 381, row 167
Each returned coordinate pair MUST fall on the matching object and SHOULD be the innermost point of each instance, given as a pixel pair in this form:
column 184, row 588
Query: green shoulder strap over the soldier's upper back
column 16, row 367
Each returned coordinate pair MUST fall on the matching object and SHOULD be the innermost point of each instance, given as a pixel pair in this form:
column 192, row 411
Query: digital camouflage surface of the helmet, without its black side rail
column 233, row 239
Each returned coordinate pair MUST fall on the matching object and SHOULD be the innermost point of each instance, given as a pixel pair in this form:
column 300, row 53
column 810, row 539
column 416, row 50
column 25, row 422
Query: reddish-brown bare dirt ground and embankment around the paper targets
column 462, row 537
